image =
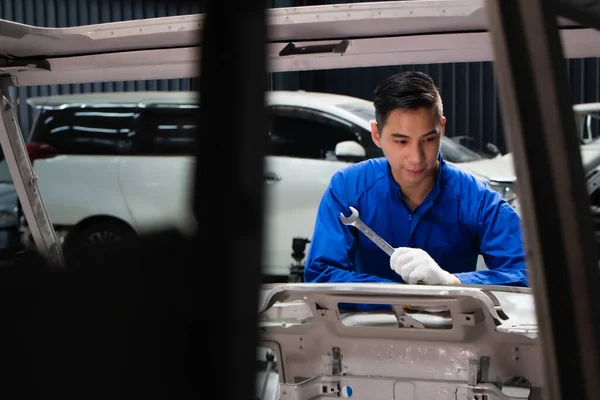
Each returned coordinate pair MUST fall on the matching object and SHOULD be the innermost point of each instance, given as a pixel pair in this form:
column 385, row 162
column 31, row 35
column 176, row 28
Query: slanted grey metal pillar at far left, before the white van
column 25, row 180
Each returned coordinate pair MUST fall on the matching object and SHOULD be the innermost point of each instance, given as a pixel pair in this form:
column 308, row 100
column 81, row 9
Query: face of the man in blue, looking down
column 410, row 140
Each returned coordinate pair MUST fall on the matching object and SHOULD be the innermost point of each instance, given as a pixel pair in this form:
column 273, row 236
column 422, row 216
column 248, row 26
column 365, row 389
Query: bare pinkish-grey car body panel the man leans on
column 429, row 342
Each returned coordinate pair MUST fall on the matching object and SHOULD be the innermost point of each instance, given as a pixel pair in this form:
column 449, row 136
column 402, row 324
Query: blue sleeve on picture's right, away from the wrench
column 498, row 228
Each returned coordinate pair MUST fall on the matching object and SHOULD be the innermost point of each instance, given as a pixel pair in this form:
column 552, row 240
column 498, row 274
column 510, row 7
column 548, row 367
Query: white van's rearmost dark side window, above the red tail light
column 87, row 130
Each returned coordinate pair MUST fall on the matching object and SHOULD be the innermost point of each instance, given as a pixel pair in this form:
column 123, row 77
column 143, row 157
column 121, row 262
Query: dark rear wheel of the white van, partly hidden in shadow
column 91, row 239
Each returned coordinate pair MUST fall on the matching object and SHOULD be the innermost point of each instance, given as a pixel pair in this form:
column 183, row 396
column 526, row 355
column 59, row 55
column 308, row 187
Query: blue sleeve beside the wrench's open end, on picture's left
column 332, row 242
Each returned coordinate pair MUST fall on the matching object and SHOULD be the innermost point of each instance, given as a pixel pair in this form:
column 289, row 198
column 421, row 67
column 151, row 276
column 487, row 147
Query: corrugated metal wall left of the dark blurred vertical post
column 65, row 13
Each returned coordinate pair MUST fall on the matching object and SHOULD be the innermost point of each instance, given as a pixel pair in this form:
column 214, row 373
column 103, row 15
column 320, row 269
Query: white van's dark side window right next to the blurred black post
column 168, row 130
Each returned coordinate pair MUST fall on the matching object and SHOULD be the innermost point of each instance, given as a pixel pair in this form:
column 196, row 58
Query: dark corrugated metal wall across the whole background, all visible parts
column 468, row 89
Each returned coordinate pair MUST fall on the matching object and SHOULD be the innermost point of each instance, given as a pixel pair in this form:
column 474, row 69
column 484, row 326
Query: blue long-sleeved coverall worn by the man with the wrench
column 459, row 219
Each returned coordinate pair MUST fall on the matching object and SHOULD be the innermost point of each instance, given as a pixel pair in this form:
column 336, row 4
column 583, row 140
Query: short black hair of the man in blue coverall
column 406, row 90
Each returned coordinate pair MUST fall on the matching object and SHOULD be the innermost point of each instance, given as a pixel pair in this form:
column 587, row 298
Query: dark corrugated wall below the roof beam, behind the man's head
column 468, row 91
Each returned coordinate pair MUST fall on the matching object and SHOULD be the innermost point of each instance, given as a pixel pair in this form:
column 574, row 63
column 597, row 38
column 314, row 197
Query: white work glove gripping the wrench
column 415, row 266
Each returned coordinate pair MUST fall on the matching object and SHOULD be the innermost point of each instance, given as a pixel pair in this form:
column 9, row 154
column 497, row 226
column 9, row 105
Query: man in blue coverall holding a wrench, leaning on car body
column 438, row 218
